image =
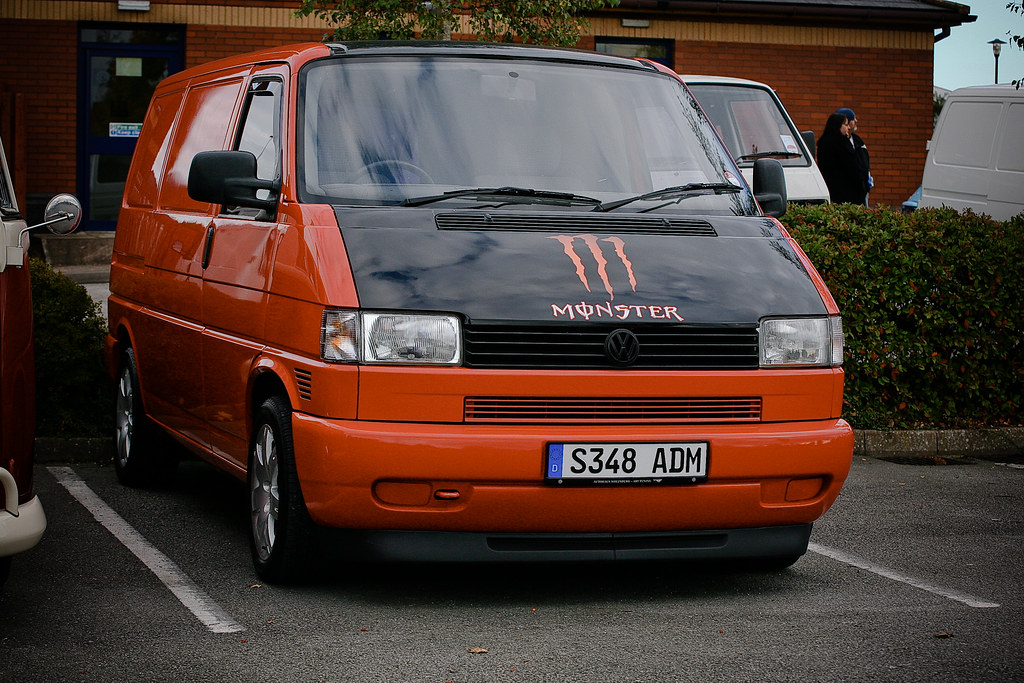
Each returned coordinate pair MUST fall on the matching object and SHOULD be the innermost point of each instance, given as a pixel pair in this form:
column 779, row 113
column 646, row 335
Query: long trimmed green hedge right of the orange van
column 931, row 306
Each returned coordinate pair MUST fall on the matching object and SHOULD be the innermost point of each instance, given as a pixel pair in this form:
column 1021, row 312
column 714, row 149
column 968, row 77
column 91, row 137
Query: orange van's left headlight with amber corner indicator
column 392, row 338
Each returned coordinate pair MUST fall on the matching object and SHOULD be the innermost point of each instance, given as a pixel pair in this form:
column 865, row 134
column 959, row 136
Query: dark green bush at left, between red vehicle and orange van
column 73, row 395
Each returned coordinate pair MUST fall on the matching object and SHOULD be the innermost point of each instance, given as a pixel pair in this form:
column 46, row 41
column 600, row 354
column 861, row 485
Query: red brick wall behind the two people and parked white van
column 889, row 90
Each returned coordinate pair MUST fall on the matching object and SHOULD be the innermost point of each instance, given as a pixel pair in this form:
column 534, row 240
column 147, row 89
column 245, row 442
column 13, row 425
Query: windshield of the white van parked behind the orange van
column 752, row 123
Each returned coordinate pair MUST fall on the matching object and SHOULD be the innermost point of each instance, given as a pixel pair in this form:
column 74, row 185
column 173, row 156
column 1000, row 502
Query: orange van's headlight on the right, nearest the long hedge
column 801, row 341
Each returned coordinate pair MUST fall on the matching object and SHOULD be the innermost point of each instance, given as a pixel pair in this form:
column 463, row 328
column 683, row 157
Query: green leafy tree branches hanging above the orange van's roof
column 536, row 22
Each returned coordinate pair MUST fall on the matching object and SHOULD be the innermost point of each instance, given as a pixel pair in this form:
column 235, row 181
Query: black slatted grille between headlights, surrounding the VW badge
column 568, row 347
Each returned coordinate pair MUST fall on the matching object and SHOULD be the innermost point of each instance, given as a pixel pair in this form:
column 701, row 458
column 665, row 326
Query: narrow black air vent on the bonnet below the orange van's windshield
column 575, row 224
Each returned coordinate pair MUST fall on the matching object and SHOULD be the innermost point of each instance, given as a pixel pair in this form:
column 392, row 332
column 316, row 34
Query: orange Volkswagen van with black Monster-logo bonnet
column 474, row 303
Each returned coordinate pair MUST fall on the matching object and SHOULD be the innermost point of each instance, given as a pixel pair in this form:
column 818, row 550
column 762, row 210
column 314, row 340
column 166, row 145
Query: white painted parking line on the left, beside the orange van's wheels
column 208, row 612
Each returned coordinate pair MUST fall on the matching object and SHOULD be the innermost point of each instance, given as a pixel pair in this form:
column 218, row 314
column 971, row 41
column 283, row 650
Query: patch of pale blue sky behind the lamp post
column 966, row 58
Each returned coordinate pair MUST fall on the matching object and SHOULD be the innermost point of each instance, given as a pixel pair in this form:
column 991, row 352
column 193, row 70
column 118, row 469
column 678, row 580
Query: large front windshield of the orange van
column 377, row 132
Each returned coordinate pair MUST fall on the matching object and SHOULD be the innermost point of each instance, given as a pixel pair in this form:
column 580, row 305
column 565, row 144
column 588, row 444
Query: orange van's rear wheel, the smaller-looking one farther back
column 143, row 456
